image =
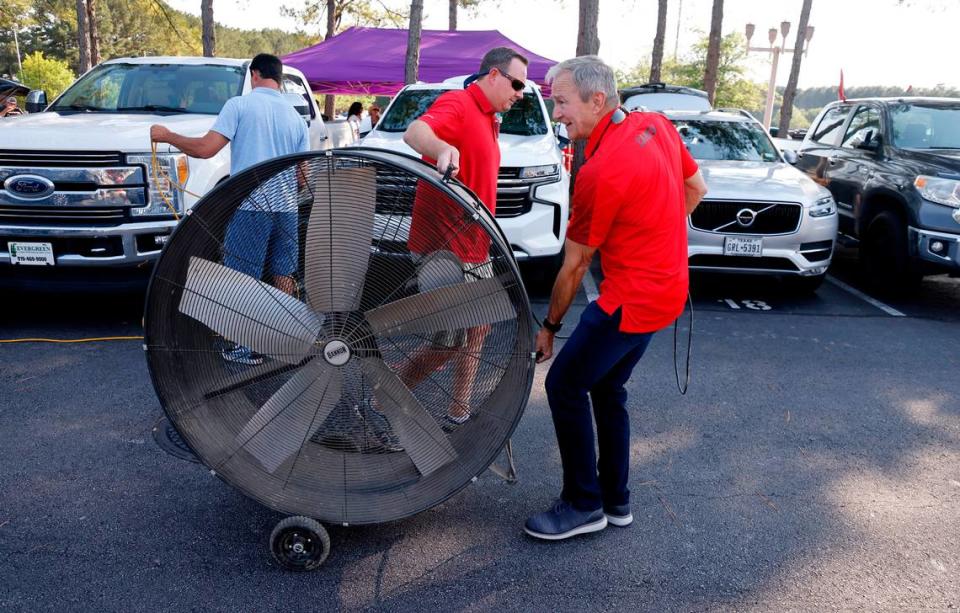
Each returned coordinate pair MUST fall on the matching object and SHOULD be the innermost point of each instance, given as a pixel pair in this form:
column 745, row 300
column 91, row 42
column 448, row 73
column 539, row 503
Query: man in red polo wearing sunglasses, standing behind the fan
column 459, row 132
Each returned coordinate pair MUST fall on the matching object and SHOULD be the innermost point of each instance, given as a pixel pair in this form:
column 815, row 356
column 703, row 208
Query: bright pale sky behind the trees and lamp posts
column 874, row 42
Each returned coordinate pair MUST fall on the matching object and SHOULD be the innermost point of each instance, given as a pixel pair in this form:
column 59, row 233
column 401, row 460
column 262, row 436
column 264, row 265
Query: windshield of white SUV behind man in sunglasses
column 525, row 118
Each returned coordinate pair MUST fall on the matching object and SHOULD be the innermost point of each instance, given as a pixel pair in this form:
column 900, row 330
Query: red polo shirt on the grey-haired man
column 629, row 203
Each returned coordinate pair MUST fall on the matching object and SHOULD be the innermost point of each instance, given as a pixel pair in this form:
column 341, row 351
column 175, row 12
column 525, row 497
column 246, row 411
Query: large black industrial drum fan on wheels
column 364, row 358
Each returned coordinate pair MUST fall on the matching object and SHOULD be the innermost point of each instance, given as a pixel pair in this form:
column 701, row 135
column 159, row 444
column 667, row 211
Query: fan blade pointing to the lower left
column 287, row 419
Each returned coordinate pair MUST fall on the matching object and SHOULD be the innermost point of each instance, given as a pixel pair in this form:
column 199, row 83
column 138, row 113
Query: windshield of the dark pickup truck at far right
column 919, row 126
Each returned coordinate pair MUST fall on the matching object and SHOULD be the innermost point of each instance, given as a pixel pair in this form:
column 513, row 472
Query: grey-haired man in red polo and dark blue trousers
column 630, row 203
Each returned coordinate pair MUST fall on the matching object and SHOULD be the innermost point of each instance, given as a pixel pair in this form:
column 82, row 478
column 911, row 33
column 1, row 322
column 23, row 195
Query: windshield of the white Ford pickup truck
column 153, row 88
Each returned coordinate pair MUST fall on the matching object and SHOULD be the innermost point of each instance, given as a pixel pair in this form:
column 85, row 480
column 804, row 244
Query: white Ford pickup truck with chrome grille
column 78, row 190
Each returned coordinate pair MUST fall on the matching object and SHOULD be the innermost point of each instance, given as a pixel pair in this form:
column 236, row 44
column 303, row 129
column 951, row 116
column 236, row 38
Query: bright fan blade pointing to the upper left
column 249, row 312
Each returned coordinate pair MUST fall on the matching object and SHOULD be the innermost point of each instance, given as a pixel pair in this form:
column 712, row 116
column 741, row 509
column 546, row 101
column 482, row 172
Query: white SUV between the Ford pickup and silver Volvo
column 532, row 187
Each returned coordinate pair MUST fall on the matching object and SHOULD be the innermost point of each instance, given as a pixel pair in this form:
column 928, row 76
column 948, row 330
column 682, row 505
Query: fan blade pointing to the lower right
column 421, row 437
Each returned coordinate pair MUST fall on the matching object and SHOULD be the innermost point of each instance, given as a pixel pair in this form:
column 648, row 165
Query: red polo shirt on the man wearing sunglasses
column 466, row 120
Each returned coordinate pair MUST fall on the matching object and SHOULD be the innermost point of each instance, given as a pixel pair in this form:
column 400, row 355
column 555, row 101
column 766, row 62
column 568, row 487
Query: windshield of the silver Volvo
column 727, row 140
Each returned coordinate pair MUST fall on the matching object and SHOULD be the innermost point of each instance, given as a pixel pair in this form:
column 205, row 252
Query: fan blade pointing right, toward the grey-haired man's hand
column 464, row 305
